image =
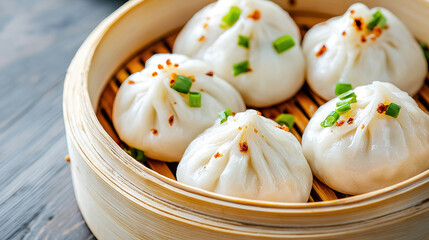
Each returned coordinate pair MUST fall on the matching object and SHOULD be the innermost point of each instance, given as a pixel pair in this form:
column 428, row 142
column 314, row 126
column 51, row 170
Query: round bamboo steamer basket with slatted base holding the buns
column 121, row 198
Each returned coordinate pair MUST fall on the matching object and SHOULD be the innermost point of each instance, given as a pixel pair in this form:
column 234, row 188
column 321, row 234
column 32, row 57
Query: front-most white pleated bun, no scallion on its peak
column 247, row 156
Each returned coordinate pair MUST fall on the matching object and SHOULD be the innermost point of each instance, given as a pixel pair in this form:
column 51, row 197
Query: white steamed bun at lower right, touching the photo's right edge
column 368, row 148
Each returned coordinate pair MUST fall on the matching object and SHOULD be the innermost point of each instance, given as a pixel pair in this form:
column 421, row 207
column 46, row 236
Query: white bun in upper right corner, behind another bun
column 362, row 46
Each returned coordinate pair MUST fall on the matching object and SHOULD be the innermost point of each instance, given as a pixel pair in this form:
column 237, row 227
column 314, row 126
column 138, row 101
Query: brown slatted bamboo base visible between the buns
column 302, row 106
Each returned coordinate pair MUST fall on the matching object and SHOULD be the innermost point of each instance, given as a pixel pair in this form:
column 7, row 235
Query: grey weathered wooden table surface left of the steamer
column 38, row 39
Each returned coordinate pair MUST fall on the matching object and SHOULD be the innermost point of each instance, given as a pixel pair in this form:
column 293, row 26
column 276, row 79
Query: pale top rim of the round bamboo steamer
column 81, row 68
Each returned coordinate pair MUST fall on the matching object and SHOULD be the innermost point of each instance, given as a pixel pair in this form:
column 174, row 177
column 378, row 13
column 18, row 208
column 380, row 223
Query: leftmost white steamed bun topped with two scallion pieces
column 152, row 113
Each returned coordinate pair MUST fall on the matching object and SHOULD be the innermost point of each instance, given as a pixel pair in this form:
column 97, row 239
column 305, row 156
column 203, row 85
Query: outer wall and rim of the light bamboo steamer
column 148, row 193
